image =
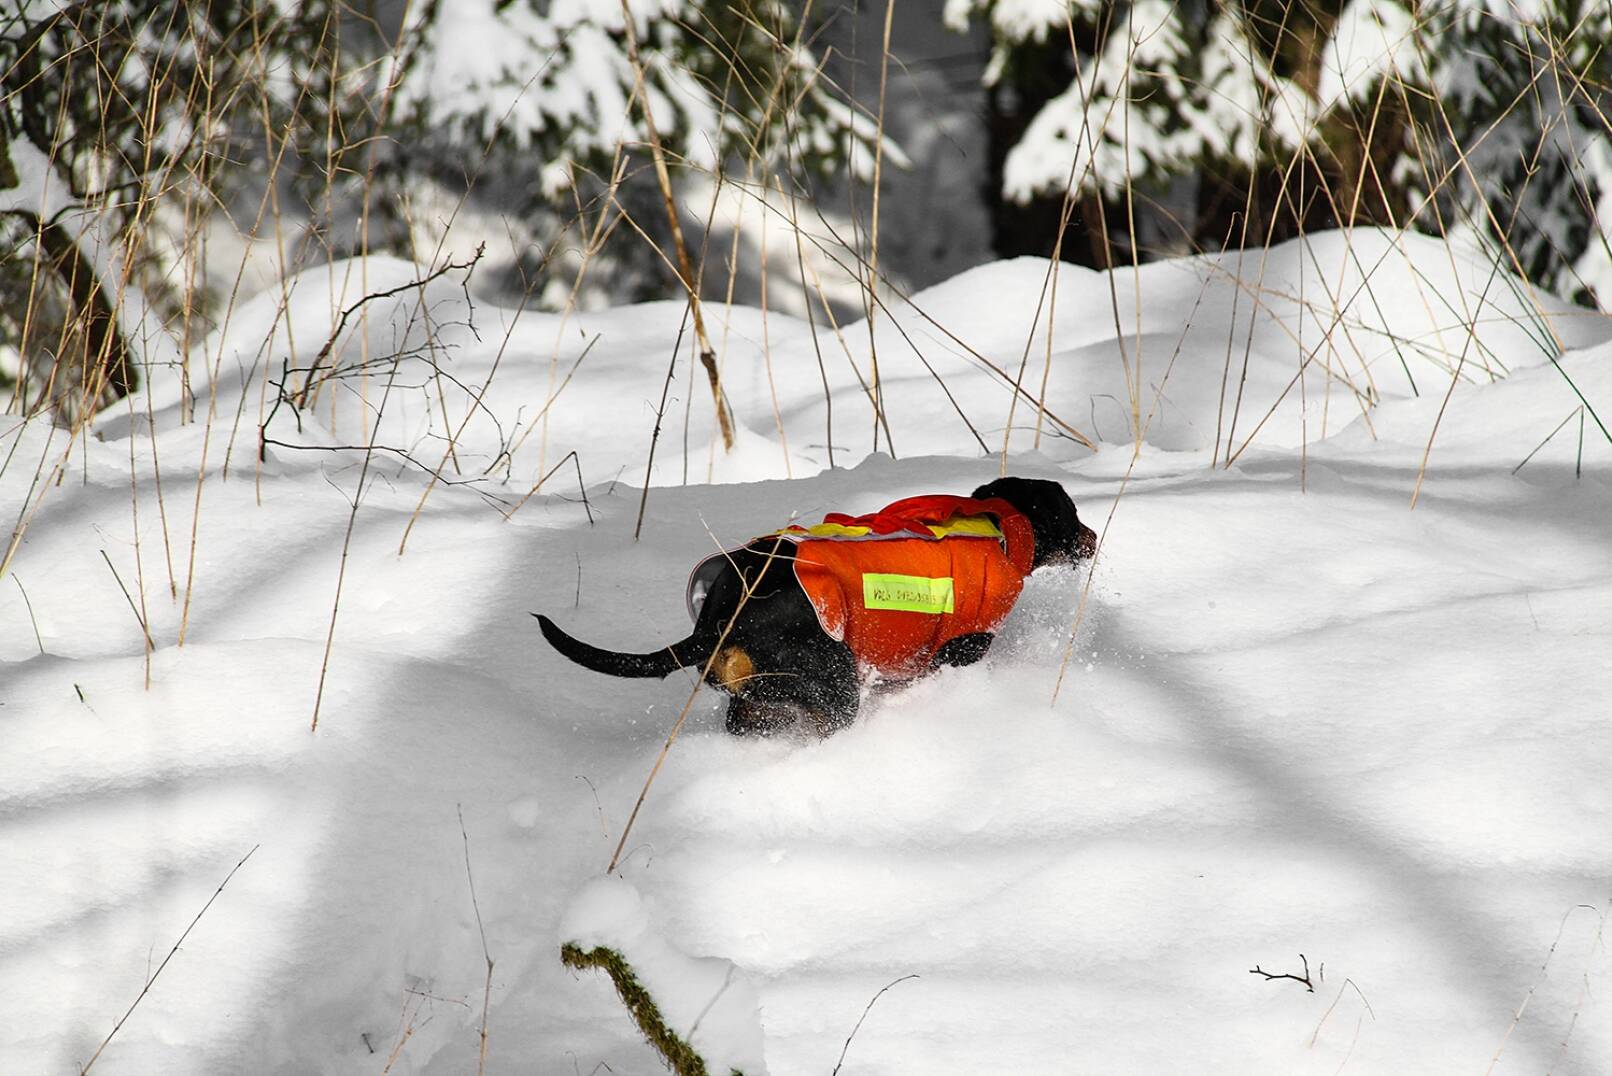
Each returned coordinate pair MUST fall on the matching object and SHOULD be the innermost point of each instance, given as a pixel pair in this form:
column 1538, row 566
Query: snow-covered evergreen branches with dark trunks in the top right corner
column 1452, row 117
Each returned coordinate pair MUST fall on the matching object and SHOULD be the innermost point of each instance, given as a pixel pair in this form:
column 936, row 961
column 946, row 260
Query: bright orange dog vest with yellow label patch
column 895, row 586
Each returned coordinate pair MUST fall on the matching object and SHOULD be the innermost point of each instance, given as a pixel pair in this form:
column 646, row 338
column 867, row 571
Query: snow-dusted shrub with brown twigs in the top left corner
column 112, row 115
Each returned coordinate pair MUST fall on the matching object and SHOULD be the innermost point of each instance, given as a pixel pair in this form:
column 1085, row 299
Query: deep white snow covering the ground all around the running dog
column 1300, row 715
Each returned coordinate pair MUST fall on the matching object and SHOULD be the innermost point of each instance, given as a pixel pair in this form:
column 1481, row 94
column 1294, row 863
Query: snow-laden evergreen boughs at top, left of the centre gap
column 555, row 81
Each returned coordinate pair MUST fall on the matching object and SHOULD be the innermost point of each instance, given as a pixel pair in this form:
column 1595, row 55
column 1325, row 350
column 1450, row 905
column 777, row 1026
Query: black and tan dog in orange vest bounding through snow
column 794, row 623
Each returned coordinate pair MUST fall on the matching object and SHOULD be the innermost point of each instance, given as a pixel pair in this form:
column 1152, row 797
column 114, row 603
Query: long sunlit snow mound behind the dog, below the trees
column 1279, row 348
